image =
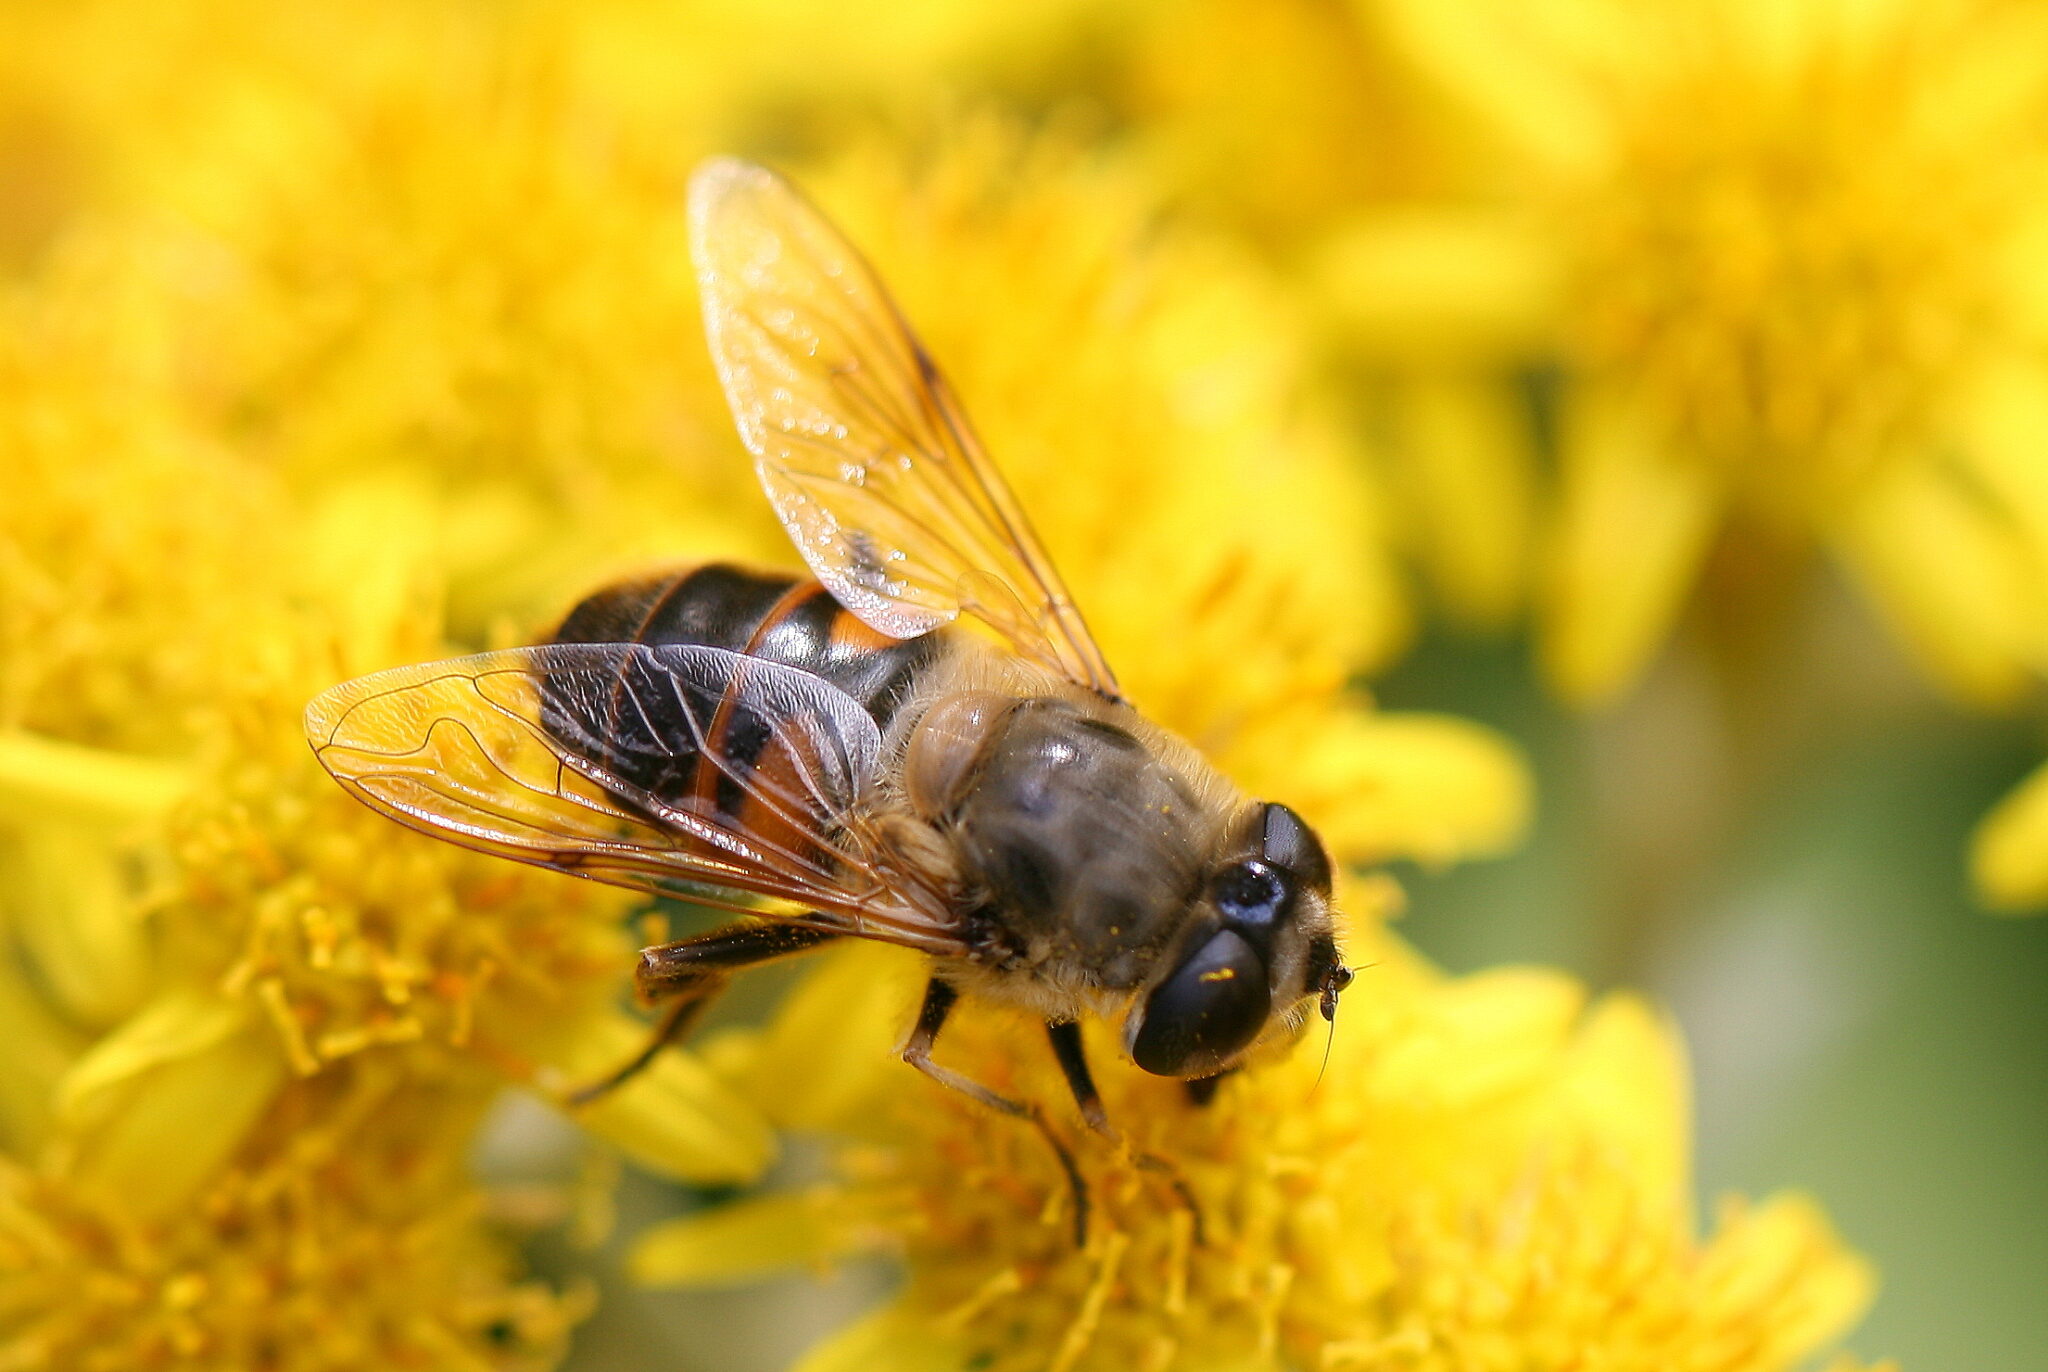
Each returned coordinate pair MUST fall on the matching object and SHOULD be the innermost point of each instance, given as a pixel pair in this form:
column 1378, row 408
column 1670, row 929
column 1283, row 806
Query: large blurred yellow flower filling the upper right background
column 1680, row 329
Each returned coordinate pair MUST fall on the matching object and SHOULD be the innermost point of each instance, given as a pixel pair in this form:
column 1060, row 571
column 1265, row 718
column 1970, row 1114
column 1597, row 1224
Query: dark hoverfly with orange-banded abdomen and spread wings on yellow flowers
column 841, row 746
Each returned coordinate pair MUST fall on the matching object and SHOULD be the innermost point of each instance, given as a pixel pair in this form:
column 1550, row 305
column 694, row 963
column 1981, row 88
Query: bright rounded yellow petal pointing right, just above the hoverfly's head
column 1385, row 785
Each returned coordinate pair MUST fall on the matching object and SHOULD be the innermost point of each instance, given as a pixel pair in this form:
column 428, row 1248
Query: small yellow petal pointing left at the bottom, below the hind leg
column 744, row 1242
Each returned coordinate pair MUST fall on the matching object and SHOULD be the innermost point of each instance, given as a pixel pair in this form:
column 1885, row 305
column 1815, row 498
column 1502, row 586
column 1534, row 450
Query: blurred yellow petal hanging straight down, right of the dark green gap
column 1629, row 542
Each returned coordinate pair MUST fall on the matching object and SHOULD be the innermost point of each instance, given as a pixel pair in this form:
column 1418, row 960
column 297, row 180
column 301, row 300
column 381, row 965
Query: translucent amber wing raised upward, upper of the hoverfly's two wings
column 863, row 449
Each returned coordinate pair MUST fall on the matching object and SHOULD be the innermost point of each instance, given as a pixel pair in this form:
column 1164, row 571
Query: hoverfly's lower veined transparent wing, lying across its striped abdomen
column 663, row 769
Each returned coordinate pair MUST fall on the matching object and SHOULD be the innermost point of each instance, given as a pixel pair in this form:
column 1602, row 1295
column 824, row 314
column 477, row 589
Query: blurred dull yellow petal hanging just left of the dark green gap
column 1463, row 462
